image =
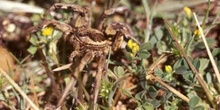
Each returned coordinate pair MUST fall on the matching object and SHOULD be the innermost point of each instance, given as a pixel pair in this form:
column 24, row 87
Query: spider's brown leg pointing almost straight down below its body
column 101, row 68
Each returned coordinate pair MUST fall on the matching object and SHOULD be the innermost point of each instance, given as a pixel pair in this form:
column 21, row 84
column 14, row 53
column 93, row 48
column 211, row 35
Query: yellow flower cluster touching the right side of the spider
column 133, row 46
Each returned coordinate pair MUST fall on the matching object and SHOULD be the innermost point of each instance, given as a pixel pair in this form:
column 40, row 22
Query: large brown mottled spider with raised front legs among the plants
column 88, row 43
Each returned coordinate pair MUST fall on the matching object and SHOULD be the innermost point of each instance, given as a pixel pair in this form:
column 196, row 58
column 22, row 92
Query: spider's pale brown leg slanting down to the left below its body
column 85, row 60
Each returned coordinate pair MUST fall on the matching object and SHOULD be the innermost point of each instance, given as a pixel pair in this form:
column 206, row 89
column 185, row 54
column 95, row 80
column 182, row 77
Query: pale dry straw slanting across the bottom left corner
column 18, row 89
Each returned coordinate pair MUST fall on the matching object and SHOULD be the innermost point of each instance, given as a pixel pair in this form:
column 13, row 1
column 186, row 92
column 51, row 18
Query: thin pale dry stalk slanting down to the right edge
column 208, row 50
